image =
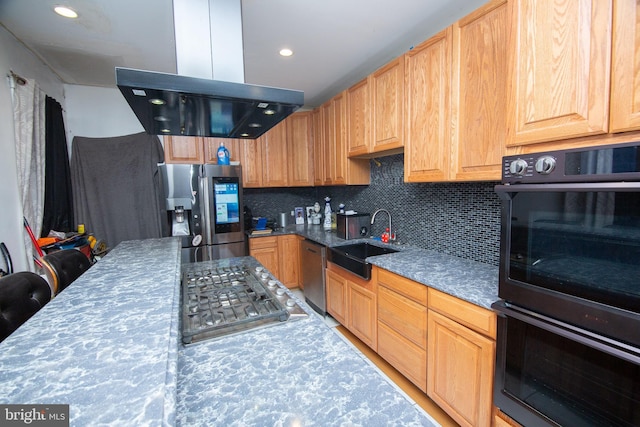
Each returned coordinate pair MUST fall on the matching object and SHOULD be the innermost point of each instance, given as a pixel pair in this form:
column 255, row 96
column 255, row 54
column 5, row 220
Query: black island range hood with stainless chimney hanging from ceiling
column 208, row 97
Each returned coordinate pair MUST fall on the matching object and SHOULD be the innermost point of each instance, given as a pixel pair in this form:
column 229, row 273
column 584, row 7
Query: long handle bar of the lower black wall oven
column 599, row 342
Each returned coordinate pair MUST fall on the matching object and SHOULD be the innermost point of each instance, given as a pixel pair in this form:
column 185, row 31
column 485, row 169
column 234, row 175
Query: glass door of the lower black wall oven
column 547, row 375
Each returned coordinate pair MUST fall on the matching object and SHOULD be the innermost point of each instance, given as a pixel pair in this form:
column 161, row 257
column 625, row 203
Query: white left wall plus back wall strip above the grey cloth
column 88, row 111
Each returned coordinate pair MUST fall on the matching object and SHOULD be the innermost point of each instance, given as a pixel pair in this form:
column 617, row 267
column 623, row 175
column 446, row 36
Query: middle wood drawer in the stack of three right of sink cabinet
column 406, row 317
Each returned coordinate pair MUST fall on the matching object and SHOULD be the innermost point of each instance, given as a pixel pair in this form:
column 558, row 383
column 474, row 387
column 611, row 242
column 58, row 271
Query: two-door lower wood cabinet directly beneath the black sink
column 351, row 300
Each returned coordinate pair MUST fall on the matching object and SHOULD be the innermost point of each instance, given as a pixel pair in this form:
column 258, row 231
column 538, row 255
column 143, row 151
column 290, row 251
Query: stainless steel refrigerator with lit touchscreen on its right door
column 203, row 206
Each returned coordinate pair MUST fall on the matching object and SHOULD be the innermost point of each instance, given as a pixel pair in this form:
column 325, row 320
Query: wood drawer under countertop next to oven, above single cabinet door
column 477, row 318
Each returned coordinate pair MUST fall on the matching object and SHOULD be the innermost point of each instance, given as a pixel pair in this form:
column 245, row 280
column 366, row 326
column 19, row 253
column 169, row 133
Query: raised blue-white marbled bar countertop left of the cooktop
column 107, row 344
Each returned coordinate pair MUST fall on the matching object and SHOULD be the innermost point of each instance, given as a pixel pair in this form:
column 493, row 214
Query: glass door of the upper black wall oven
column 580, row 240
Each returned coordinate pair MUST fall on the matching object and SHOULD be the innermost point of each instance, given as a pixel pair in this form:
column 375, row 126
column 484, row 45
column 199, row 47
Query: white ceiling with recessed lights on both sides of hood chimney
column 336, row 42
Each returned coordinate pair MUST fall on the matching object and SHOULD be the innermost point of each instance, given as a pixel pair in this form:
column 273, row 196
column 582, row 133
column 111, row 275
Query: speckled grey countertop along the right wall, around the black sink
column 470, row 281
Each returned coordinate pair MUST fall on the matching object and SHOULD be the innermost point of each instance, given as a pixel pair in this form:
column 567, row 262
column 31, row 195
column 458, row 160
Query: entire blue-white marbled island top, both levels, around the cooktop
column 109, row 346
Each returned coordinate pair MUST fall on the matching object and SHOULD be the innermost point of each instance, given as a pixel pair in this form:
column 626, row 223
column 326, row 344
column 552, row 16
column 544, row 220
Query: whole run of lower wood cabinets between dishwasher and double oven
column 442, row 344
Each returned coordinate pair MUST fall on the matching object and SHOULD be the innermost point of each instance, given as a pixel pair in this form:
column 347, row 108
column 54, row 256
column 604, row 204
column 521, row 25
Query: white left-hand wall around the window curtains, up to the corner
column 15, row 57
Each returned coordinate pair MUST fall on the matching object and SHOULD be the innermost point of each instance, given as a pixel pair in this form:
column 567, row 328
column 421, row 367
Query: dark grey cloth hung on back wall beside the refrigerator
column 116, row 186
